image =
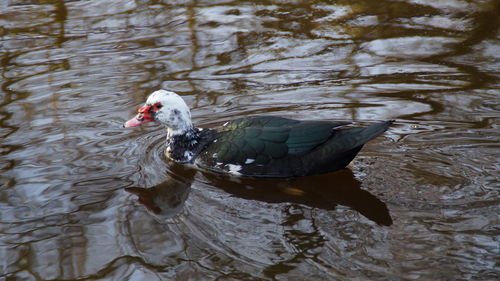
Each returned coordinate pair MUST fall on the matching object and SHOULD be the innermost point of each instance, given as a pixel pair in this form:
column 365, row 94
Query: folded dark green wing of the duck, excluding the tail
column 264, row 145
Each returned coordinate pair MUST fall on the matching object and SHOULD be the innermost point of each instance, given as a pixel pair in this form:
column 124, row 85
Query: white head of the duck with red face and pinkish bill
column 167, row 108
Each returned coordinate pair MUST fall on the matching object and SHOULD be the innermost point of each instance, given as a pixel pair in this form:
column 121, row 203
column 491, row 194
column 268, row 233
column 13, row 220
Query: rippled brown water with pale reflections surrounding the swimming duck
column 419, row 203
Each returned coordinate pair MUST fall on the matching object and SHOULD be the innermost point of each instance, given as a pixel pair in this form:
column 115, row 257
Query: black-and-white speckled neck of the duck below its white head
column 182, row 145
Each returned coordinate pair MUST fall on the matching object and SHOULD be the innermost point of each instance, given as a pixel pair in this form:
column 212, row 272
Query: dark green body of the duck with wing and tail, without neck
column 267, row 146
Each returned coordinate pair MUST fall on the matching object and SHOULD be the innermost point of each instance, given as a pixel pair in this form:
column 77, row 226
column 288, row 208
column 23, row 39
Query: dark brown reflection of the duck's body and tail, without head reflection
column 323, row 191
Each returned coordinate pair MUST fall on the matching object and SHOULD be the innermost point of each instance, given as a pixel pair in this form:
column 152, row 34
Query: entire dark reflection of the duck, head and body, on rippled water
column 323, row 191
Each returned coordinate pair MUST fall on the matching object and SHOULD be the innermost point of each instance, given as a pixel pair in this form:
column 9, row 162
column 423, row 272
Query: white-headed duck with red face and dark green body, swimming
column 255, row 146
